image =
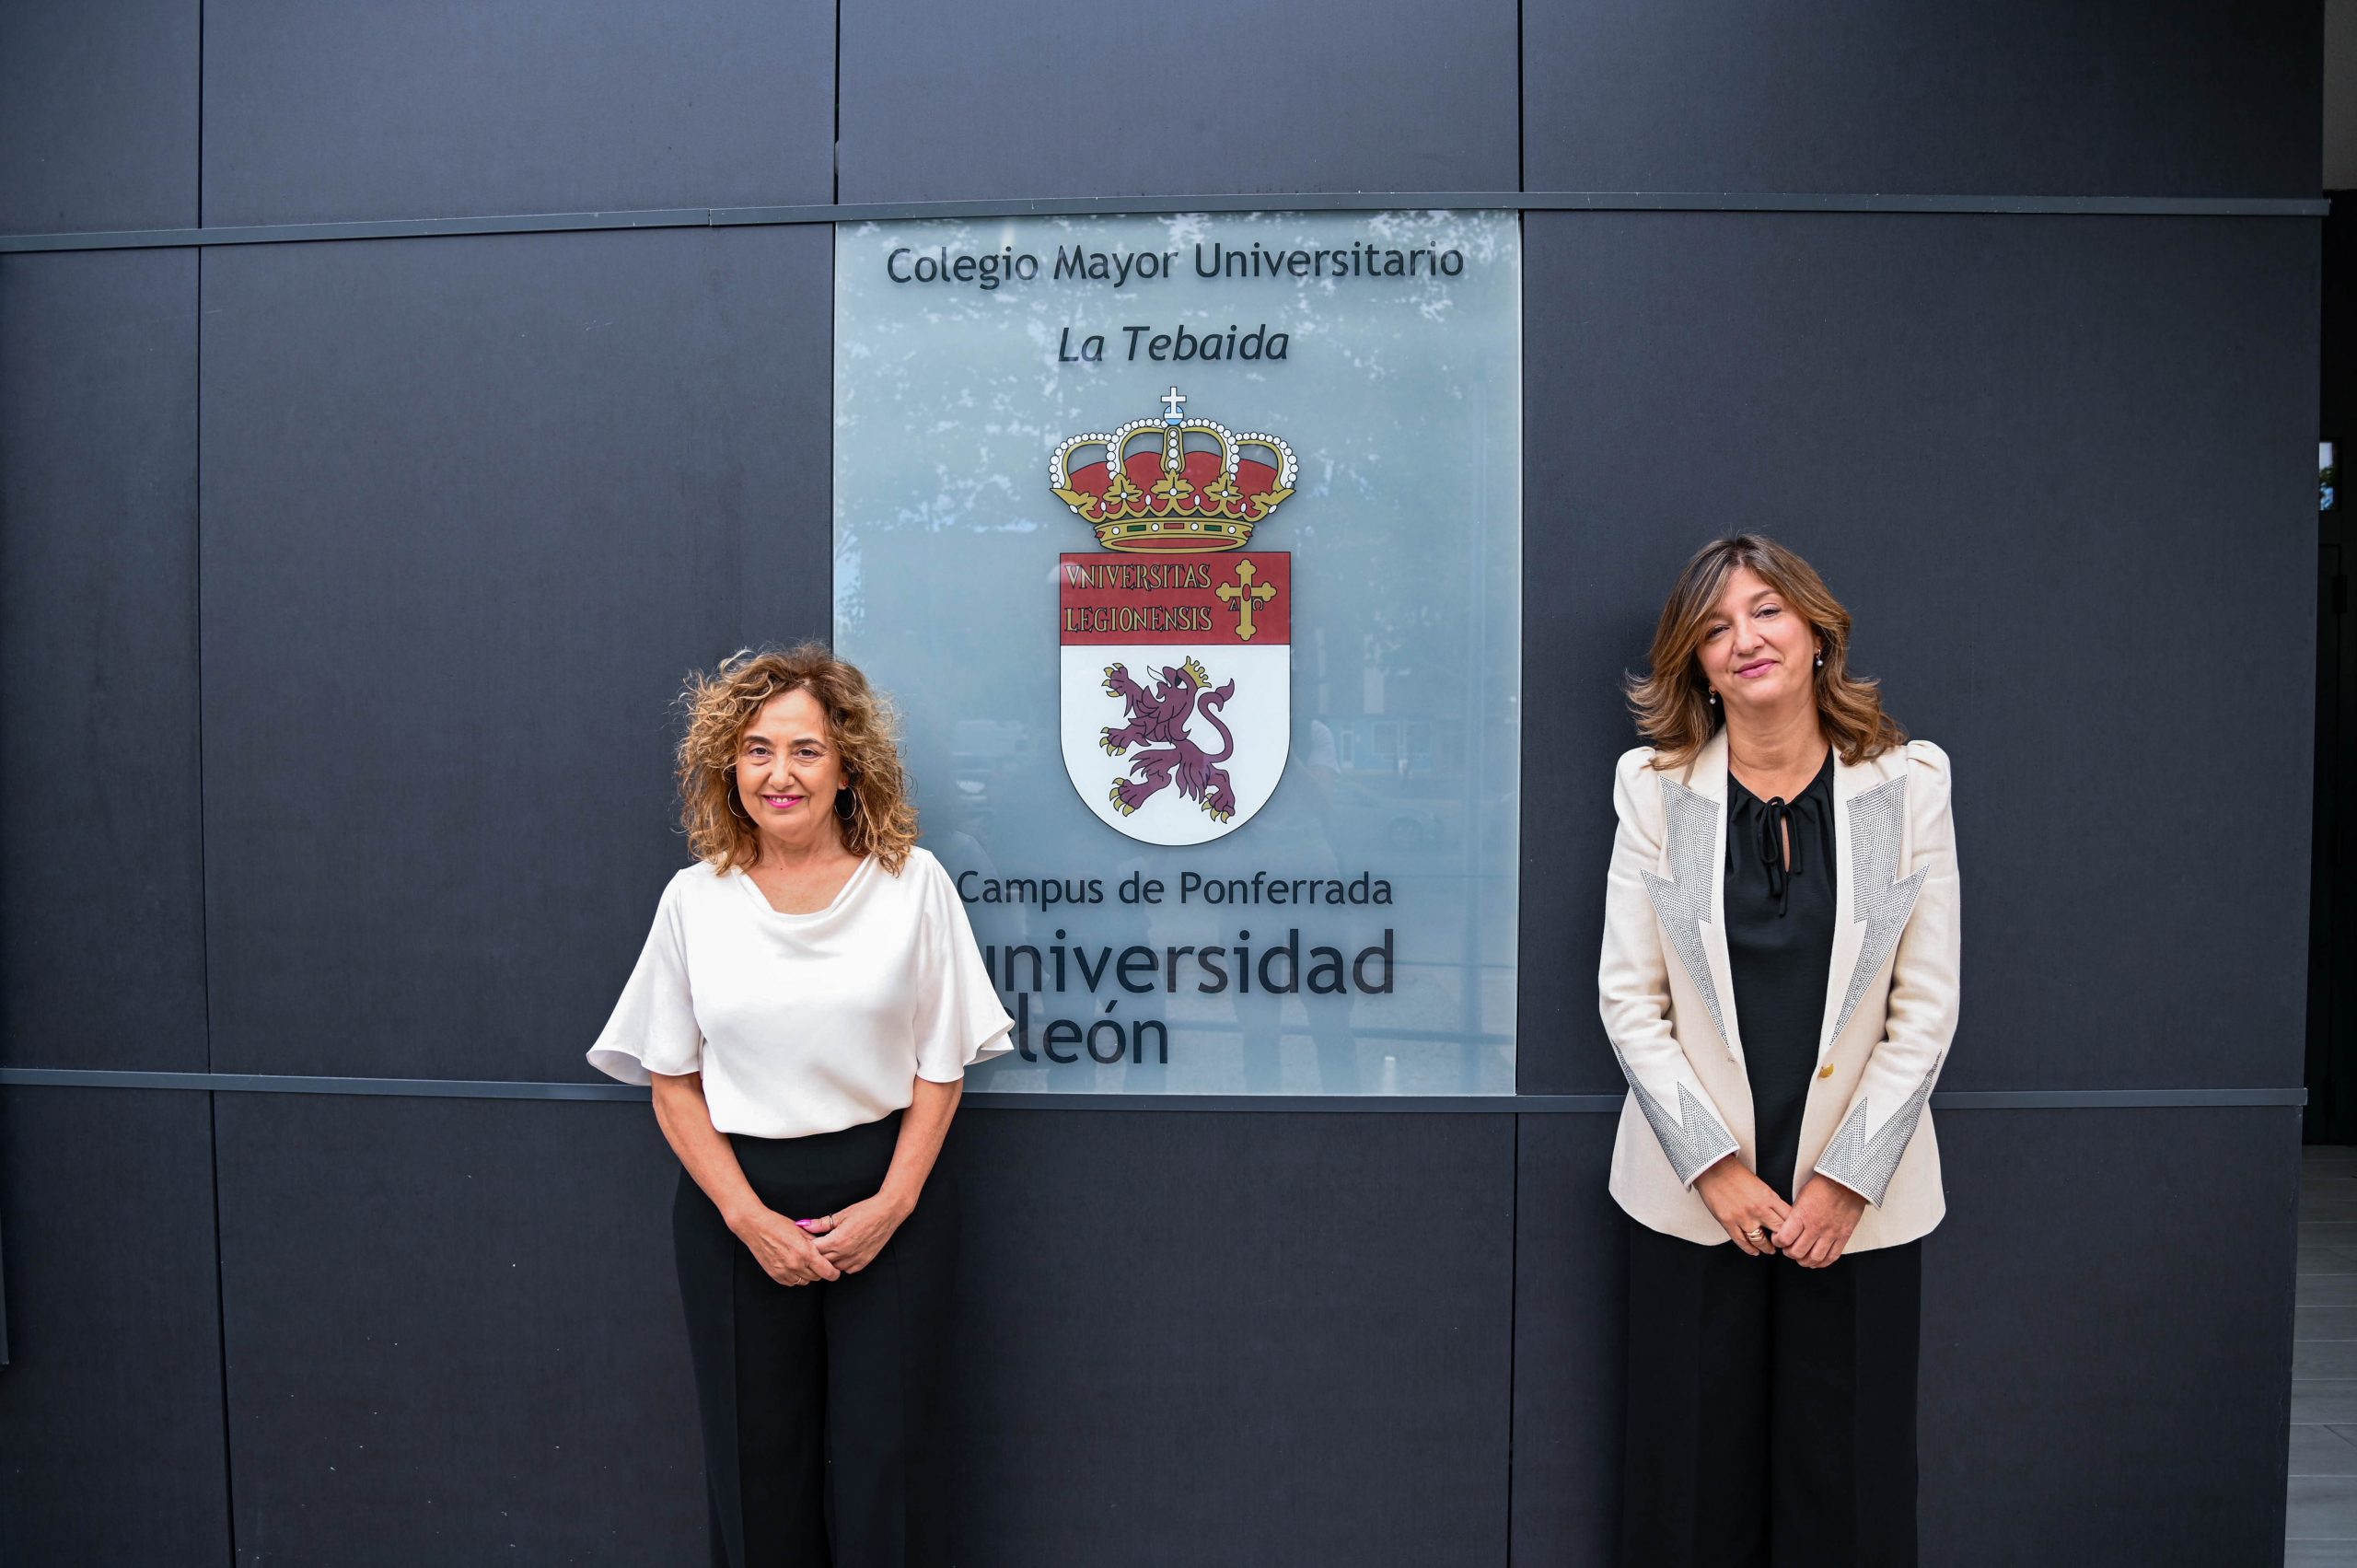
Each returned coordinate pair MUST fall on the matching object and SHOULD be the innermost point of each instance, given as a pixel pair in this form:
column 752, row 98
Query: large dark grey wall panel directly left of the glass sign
column 473, row 510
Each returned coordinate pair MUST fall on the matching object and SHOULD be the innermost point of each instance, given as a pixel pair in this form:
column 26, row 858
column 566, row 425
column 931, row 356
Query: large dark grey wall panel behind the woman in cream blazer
column 2059, row 473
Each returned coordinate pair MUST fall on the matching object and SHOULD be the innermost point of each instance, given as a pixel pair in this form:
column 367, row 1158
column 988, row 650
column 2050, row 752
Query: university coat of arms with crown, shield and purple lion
column 1177, row 643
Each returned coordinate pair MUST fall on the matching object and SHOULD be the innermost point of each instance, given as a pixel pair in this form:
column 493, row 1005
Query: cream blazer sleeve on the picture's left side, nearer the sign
column 1632, row 982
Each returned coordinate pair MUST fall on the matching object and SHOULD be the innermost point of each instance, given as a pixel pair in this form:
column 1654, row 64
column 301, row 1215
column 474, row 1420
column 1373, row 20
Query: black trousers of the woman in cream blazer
column 1771, row 1409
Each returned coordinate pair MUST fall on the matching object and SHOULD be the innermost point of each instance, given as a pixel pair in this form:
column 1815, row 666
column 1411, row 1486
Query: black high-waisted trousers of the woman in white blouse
column 819, row 1399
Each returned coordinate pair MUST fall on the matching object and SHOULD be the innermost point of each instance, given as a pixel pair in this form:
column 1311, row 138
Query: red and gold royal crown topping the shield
column 1173, row 485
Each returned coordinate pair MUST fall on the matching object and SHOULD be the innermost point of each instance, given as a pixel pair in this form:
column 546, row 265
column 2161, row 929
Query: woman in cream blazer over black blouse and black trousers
column 1781, row 989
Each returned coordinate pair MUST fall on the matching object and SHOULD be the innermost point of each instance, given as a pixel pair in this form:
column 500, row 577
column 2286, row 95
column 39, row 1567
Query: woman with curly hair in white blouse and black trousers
column 807, row 1008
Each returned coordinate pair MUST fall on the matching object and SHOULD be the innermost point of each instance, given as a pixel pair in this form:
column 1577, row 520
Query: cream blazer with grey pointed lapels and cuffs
column 1889, row 994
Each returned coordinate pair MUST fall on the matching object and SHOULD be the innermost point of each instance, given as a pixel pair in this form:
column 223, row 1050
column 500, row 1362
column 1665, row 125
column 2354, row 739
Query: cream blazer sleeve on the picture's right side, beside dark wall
column 1924, row 989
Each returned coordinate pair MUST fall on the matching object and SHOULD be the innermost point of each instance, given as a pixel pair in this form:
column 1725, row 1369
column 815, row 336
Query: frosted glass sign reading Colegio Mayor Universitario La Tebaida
column 1191, row 555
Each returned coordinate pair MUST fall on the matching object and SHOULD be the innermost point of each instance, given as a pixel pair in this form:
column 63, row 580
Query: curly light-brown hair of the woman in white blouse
column 861, row 730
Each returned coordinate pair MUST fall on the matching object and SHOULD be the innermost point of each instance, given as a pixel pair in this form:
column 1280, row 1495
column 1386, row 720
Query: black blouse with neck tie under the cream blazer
column 1781, row 942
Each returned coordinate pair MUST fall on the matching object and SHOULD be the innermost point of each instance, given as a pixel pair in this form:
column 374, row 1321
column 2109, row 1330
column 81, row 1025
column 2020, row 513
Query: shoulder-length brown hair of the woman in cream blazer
column 1672, row 701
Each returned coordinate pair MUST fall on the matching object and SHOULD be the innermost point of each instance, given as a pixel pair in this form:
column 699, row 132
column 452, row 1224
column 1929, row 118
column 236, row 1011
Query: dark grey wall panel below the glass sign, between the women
column 1236, row 1338
